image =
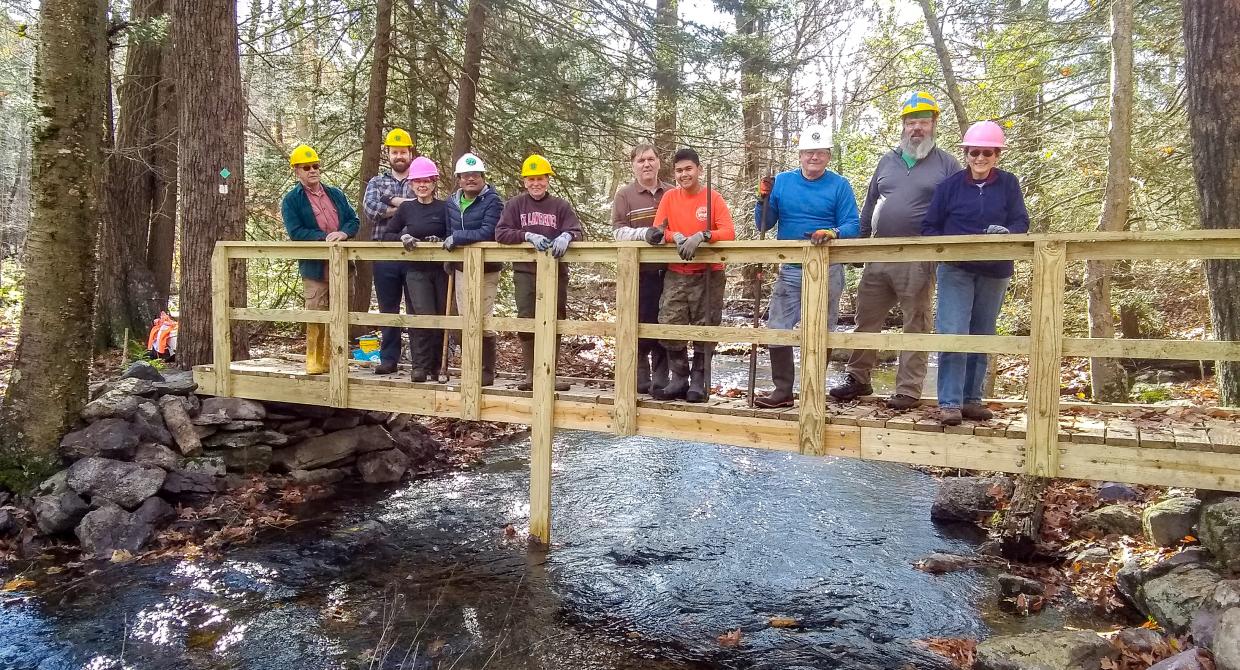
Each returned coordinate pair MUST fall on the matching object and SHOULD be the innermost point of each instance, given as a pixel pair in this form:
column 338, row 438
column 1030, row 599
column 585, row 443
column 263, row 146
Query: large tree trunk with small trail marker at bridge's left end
column 210, row 140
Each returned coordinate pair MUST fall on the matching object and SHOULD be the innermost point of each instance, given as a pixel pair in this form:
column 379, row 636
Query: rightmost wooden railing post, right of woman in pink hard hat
column 1046, row 353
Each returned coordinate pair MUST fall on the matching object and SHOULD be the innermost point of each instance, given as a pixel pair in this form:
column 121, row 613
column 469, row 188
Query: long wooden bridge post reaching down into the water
column 542, row 427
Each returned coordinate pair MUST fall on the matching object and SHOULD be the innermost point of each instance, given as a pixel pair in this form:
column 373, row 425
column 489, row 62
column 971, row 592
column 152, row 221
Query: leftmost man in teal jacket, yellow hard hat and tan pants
column 314, row 213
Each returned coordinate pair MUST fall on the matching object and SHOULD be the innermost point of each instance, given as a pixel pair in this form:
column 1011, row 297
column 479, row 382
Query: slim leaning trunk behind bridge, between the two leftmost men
column 373, row 141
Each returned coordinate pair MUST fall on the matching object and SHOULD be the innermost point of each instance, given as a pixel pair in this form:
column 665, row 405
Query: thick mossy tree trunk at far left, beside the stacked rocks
column 49, row 380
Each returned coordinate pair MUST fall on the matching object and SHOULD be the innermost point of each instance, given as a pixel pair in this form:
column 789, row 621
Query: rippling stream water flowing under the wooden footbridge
column 660, row 548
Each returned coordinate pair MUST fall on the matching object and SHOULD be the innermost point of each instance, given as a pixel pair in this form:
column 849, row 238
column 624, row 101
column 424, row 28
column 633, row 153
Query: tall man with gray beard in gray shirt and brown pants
column 897, row 200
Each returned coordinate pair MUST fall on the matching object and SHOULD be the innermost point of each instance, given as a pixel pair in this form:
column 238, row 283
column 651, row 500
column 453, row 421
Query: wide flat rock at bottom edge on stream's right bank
column 1045, row 651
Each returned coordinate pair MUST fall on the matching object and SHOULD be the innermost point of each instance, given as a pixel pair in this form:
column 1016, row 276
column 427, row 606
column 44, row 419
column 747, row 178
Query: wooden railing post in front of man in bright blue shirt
column 815, row 270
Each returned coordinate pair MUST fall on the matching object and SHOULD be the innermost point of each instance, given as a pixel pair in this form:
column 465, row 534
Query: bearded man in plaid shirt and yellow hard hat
column 385, row 193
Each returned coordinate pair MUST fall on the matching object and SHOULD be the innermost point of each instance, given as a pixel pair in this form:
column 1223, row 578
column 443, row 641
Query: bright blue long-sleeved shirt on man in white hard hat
column 800, row 207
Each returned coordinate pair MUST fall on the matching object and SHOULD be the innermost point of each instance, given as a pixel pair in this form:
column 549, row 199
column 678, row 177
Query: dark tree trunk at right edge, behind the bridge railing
column 1212, row 68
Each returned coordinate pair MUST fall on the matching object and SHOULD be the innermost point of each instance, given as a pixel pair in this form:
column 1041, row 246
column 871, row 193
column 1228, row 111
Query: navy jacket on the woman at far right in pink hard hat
column 962, row 208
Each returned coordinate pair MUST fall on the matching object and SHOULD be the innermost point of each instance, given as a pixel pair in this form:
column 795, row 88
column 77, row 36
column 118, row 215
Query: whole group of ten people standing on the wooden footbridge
column 917, row 189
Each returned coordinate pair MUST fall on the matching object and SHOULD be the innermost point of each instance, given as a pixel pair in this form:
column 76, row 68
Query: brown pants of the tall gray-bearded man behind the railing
column 882, row 287
